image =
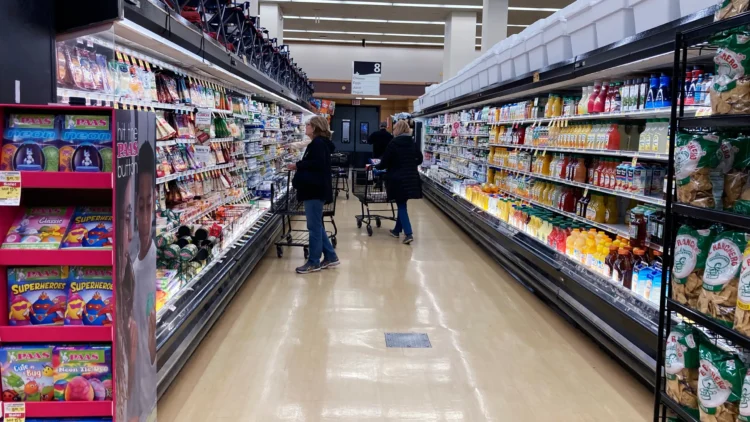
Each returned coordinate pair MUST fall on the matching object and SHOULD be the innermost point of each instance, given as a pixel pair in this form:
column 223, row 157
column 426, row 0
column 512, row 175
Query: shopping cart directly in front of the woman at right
column 369, row 187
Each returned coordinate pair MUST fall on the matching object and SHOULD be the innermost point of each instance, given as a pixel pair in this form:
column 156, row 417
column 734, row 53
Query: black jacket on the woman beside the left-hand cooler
column 313, row 177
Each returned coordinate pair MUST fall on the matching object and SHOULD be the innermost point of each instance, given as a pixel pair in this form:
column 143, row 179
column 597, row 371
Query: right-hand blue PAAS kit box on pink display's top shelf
column 86, row 144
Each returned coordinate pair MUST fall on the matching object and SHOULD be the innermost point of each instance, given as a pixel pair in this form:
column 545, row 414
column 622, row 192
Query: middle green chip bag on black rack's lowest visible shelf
column 720, row 379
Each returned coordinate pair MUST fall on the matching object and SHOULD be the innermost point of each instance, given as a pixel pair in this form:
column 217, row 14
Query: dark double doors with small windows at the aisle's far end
column 351, row 126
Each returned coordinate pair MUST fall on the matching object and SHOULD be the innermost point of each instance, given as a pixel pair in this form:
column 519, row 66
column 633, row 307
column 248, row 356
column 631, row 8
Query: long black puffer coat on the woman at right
column 401, row 159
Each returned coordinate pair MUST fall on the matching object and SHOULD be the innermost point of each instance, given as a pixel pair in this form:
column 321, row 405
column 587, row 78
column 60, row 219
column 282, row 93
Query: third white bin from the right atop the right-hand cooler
column 614, row 21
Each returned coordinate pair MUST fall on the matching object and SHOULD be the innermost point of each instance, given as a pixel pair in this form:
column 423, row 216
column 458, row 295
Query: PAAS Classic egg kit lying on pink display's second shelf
column 38, row 228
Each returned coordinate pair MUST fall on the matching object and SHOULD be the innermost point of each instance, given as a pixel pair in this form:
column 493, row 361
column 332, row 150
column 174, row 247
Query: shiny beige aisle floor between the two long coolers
column 311, row 348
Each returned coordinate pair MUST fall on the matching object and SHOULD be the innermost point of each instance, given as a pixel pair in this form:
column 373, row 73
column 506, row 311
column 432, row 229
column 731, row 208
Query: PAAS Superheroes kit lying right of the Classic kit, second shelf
column 89, row 228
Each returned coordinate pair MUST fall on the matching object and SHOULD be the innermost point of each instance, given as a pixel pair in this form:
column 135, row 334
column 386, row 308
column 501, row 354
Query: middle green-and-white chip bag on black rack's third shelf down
column 718, row 298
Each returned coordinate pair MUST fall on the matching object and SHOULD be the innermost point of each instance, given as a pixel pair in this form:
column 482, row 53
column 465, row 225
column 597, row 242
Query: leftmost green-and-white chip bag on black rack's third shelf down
column 690, row 252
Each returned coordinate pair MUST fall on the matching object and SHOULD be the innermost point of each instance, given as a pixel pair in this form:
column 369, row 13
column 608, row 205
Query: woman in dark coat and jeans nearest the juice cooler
column 401, row 159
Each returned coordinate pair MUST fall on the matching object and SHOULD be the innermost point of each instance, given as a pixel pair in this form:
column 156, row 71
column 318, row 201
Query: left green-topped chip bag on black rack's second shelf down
column 696, row 158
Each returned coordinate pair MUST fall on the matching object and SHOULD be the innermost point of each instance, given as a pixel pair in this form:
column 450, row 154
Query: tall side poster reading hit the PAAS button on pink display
column 135, row 269
